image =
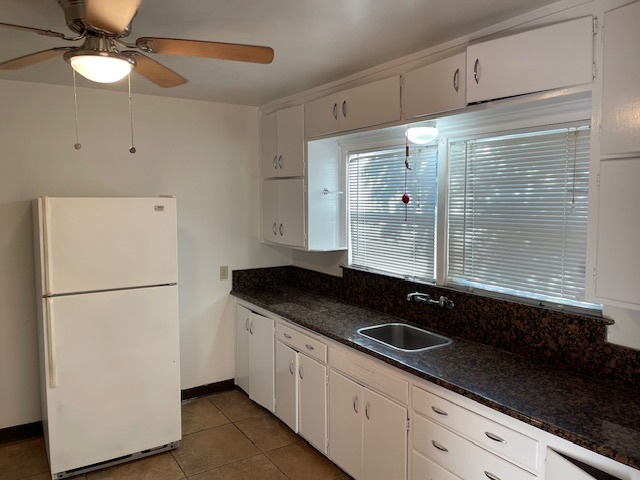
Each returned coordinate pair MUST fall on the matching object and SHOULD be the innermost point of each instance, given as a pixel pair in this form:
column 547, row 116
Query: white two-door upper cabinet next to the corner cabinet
column 375, row 103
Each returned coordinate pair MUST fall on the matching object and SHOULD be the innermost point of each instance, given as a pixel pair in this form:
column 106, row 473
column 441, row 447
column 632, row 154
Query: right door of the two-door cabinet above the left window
column 371, row 104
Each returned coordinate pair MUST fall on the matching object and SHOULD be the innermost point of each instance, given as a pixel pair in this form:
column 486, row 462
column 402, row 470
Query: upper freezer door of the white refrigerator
column 92, row 244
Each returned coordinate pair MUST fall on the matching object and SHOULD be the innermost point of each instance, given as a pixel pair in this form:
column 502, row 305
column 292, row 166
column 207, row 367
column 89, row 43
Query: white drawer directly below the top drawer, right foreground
column 460, row 456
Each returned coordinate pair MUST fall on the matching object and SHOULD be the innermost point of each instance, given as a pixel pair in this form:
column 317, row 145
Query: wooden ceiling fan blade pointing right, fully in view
column 195, row 48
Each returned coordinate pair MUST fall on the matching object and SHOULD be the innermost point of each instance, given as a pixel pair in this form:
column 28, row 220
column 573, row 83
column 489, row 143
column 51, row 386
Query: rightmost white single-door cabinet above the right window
column 555, row 56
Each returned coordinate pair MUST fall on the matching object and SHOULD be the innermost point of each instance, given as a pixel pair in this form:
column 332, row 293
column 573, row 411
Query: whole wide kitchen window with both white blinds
column 516, row 213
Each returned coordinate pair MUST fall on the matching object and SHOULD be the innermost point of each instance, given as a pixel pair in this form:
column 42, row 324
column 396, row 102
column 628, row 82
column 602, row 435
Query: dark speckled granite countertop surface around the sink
column 596, row 416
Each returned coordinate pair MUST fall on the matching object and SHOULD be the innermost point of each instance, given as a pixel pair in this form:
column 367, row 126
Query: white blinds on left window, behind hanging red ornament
column 381, row 238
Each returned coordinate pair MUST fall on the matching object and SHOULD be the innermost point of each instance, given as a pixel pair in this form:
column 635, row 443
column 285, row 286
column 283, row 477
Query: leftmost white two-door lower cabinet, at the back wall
column 255, row 356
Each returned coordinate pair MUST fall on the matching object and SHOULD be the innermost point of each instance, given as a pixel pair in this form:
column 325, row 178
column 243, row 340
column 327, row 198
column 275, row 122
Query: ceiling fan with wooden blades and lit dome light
column 104, row 55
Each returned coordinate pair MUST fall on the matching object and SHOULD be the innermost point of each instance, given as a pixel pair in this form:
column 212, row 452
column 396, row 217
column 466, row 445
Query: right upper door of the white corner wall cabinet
column 290, row 141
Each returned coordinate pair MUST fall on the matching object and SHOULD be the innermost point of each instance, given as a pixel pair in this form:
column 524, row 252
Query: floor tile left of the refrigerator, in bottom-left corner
column 23, row 458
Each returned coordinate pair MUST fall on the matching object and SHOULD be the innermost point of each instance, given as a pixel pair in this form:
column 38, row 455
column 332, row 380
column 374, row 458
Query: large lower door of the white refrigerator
column 115, row 360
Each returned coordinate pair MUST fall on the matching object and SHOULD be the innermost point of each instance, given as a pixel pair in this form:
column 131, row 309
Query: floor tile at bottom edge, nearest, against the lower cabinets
column 300, row 461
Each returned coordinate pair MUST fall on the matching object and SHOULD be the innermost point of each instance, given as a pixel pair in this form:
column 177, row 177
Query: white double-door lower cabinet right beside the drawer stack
column 367, row 432
